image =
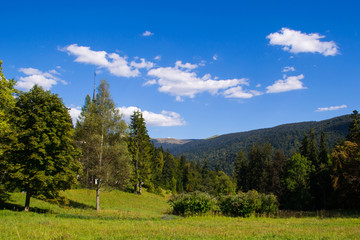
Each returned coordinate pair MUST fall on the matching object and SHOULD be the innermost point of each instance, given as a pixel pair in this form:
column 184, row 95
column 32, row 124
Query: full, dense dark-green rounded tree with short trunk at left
column 44, row 157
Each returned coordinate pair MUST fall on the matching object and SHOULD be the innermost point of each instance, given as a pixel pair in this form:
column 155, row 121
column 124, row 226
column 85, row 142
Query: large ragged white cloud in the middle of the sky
column 181, row 81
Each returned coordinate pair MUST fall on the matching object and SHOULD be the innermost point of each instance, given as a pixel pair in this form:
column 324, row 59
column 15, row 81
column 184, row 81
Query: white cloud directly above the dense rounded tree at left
column 34, row 76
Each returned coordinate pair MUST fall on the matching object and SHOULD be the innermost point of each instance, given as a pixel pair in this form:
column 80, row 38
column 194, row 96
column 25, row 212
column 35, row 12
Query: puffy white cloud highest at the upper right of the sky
column 297, row 42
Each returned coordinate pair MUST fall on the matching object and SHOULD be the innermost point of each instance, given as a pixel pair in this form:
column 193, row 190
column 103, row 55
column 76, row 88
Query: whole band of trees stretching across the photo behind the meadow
column 42, row 153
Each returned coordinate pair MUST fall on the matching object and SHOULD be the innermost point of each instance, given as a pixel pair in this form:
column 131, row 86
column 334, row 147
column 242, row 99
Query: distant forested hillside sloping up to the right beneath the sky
column 222, row 150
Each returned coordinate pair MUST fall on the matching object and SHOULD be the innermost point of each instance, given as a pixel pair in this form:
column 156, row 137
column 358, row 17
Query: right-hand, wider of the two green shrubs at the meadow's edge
column 245, row 204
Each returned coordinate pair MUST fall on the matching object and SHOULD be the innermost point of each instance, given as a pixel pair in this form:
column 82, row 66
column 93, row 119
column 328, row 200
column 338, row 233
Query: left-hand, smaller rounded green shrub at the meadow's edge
column 195, row 203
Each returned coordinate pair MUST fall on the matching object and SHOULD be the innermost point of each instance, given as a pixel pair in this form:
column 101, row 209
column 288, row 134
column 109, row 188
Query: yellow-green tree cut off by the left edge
column 7, row 131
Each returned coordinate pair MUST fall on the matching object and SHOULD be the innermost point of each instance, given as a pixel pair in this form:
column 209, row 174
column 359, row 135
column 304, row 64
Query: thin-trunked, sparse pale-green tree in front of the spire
column 101, row 134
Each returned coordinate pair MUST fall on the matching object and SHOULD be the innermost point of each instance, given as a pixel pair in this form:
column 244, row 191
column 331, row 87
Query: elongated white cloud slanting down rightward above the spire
column 113, row 62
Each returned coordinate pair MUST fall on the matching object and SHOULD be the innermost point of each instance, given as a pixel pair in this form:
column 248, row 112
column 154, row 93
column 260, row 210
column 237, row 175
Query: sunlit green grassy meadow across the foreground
column 127, row 216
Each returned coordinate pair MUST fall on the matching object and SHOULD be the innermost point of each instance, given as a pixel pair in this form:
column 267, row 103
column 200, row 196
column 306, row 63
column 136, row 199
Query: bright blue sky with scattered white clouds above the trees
column 195, row 68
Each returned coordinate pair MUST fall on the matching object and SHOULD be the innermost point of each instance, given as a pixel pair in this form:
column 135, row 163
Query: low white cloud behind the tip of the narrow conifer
column 163, row 119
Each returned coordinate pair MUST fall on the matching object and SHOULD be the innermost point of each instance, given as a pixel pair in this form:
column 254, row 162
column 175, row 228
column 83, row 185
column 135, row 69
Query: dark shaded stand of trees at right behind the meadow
column 313, row 178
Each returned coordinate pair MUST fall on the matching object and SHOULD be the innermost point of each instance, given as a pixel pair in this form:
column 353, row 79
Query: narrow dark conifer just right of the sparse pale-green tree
column 140, row 150
